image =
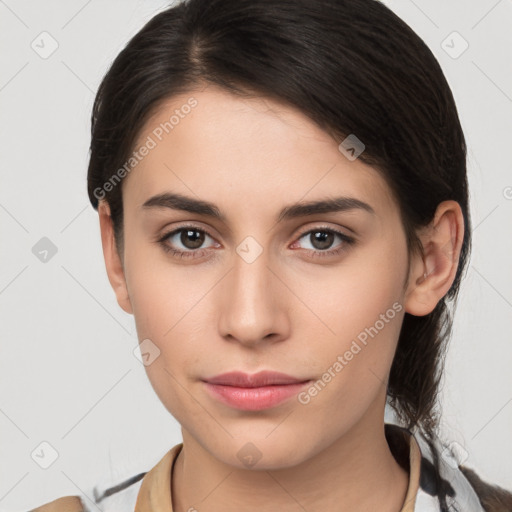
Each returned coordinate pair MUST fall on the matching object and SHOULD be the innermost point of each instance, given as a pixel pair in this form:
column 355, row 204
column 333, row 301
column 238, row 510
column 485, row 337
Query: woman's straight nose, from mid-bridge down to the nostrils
column 253, row 305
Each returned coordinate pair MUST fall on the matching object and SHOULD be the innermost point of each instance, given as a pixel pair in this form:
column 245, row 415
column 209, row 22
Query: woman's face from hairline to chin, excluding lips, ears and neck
column 315, row 294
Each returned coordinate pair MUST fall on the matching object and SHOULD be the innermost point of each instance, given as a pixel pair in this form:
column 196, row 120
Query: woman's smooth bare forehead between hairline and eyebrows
column 221, row 147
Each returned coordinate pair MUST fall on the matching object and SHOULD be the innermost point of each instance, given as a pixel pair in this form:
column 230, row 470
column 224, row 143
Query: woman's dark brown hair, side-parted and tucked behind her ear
column 353, row 67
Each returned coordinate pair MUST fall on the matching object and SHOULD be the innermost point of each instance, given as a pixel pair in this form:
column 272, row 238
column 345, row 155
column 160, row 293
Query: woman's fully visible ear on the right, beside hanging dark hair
column 432, row 273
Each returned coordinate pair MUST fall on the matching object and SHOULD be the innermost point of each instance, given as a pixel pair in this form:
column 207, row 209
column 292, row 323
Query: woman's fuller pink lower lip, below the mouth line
column 254, row 399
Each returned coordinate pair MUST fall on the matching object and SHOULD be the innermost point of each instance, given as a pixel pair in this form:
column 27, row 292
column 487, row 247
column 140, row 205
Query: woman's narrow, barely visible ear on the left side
column 115, row 270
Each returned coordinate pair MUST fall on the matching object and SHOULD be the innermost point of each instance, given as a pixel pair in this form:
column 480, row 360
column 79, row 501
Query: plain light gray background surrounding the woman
column 67, row 369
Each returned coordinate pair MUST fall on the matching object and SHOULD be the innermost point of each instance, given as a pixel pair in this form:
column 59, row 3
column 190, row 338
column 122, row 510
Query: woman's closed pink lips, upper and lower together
column 256, row 392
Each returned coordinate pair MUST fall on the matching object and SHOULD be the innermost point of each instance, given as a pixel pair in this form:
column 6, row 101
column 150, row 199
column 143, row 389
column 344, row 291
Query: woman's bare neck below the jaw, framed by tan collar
column 355, row 473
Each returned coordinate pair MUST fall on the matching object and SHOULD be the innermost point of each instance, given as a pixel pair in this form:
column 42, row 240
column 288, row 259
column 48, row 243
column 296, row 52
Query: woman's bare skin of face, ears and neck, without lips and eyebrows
column 288, row 310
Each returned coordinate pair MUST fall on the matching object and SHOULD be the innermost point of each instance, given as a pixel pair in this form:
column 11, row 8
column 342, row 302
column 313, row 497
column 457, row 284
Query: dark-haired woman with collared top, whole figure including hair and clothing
column 283, row 205
